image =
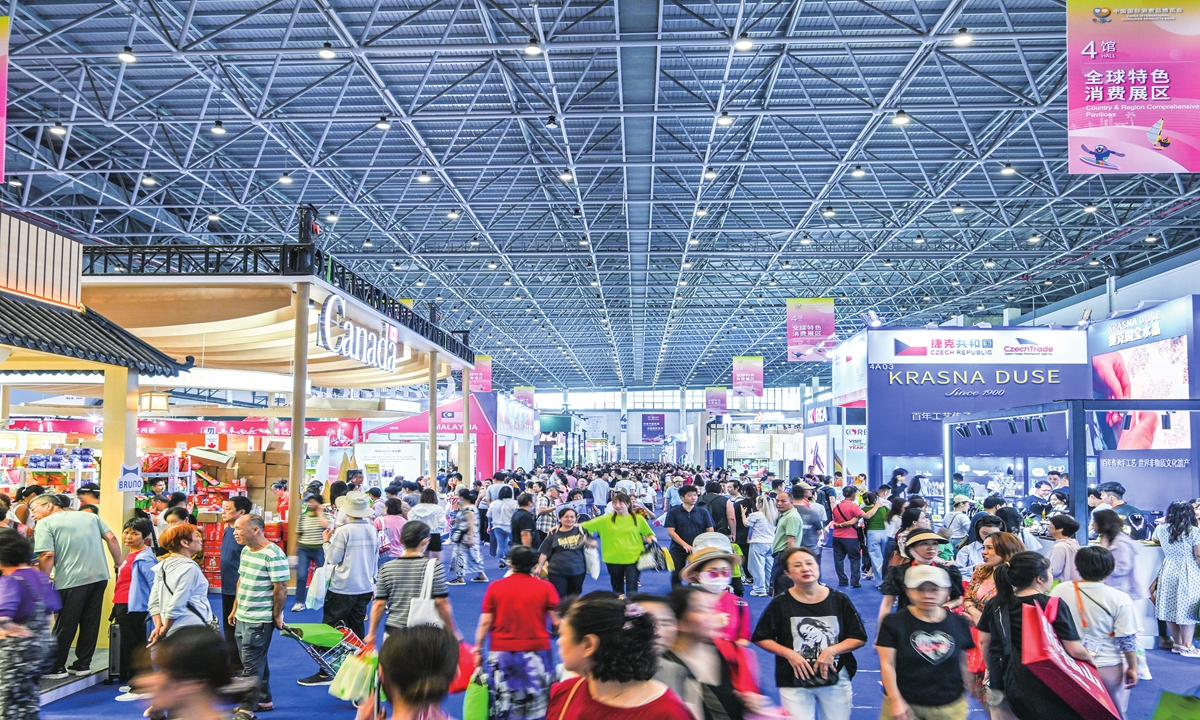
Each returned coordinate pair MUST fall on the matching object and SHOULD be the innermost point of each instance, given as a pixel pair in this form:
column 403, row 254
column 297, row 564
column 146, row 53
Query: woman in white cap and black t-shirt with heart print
column 923, row 652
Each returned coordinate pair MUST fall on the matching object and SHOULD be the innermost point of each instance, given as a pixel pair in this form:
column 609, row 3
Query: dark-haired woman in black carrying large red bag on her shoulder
column 1024, row 580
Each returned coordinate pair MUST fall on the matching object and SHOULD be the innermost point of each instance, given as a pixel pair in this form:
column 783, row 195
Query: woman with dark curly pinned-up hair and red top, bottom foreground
column 611, row 645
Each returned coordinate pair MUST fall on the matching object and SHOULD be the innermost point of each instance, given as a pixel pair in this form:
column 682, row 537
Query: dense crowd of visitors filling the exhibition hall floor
column 950, row 623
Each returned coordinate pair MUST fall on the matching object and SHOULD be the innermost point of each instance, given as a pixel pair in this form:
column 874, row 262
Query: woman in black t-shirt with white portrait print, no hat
column 813, row 632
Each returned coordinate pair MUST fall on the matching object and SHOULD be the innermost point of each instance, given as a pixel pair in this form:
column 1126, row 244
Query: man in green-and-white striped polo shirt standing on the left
column 259, row 609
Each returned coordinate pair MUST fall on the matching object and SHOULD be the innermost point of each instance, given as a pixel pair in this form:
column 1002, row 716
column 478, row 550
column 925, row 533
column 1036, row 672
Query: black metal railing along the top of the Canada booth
column 283, row 260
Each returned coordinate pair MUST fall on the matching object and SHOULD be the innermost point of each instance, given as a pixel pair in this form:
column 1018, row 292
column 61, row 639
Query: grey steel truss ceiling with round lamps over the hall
column 597, row 250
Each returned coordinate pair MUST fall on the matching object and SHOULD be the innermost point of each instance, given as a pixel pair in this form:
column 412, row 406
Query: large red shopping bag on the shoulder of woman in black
column 1076, row 683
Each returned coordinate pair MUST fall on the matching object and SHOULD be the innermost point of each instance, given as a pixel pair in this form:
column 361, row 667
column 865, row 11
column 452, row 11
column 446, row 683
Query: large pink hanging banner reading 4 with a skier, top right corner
column 1133, row 91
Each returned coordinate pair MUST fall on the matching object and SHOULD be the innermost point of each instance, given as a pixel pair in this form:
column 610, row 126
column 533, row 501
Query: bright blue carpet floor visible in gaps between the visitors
column 290, row 663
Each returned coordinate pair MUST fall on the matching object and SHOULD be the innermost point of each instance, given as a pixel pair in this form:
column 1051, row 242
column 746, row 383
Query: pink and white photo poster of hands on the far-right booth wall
column 1151, row 371
